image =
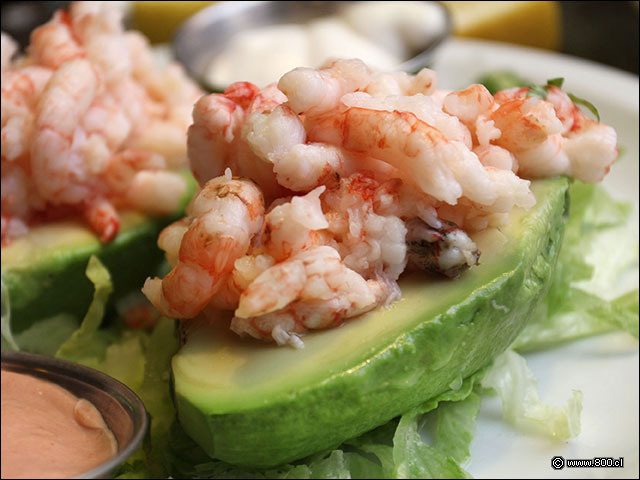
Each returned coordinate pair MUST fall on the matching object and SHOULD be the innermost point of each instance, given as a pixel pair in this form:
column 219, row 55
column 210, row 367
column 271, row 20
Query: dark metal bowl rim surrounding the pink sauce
column 121, row 408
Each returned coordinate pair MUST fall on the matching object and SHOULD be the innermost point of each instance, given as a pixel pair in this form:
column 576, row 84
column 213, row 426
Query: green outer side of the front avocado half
column 398, row 374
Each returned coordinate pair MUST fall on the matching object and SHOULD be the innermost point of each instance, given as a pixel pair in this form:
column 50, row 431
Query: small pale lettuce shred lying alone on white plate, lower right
column 517, row 387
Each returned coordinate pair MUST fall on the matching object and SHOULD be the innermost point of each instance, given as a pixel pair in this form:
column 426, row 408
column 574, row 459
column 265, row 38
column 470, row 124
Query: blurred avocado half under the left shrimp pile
column 44, row 271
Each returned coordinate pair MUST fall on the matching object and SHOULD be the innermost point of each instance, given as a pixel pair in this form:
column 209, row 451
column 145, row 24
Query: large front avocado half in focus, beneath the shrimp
column 259, row 405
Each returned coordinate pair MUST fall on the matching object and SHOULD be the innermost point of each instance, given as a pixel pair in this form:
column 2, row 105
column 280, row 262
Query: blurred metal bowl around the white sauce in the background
column 205, row 35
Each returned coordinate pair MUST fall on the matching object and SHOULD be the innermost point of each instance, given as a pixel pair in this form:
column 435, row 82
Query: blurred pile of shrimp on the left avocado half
column 89, row 124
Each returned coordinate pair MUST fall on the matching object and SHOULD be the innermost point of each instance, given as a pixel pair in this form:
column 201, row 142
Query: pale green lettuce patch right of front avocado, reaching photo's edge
column 584, row 298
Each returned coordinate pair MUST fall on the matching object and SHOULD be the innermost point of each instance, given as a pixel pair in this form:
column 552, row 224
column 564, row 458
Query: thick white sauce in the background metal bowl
column 382, row 34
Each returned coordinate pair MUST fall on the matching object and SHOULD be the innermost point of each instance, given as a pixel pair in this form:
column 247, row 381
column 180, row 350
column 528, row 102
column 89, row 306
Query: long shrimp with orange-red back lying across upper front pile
column 444, row 169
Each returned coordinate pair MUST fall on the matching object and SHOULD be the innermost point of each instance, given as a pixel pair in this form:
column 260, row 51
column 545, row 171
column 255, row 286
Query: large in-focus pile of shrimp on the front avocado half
column 345, row 178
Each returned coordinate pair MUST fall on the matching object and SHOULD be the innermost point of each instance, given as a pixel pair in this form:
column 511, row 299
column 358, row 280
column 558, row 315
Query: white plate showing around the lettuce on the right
column 605, row 368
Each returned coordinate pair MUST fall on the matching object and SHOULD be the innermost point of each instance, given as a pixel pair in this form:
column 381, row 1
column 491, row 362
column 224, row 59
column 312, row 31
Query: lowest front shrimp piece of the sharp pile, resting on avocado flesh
column 310, row 290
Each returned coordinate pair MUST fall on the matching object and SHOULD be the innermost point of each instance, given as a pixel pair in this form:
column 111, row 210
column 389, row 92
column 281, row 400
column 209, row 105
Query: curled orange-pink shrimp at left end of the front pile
column 225, row 214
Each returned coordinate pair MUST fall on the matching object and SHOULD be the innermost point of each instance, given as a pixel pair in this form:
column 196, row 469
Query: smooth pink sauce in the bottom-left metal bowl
column 47, row 432
